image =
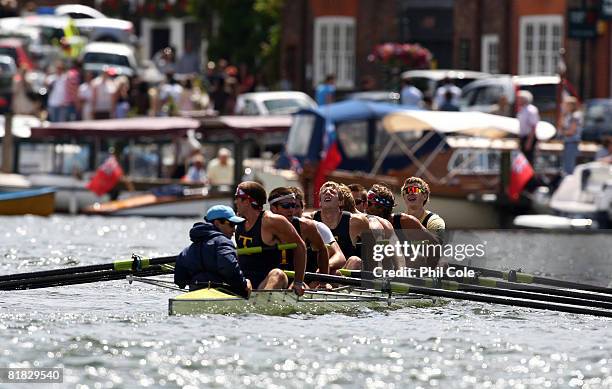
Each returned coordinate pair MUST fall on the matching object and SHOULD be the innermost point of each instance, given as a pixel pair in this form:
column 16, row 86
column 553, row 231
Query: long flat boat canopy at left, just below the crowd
column 131, row 127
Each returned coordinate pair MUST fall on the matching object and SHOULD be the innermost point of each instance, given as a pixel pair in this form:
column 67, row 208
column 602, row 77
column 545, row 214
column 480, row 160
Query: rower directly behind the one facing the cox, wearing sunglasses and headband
column 283, row 202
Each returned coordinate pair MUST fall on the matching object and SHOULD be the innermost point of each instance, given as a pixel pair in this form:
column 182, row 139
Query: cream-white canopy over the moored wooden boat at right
column 466, row 123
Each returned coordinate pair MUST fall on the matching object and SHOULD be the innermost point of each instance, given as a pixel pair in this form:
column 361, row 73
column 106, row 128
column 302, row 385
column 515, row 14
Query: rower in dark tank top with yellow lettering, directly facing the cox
column 265, row 229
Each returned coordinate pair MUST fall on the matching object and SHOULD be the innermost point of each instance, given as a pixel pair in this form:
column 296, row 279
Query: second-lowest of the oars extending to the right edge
column 493, row 283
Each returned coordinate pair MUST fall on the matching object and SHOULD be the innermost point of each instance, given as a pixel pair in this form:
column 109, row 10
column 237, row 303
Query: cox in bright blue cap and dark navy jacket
column 211, row 257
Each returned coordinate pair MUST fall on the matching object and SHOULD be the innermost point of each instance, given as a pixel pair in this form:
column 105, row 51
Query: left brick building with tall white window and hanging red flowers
column 323, row 36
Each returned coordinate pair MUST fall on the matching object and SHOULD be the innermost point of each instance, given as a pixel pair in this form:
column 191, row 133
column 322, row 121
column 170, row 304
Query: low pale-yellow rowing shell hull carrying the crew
column 285, row 302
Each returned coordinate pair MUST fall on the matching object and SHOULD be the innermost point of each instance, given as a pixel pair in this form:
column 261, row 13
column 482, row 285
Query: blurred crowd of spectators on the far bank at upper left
column 70, row 93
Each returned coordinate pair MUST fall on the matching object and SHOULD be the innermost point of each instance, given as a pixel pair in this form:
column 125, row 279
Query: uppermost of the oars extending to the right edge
column 526, row 278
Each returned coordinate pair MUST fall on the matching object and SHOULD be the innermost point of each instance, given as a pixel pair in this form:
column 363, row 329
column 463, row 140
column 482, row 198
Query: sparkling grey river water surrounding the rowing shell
column 117, row 335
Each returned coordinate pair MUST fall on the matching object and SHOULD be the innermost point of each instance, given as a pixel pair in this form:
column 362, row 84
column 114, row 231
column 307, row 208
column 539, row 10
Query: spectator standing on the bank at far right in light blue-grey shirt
column 571, row 130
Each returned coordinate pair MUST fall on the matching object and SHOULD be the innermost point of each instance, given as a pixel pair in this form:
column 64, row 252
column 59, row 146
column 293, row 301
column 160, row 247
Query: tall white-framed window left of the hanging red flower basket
column 334, row 50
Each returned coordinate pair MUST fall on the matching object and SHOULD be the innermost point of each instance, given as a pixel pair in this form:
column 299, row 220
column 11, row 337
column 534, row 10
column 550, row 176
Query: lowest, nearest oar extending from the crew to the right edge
column 398, row 287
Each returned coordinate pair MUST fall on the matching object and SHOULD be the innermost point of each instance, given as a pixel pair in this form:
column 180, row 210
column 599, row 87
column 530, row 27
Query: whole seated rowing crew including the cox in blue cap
column 337, row 236
